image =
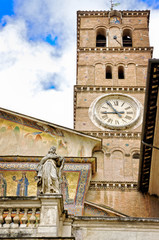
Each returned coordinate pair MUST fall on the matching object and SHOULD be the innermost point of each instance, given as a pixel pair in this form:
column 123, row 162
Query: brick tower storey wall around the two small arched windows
column 92, row 68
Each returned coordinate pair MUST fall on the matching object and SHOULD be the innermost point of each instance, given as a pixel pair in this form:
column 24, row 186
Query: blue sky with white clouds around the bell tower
column 38, row 53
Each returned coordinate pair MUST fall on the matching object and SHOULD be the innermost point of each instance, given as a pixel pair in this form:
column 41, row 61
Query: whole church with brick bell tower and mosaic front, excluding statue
column 100, row 197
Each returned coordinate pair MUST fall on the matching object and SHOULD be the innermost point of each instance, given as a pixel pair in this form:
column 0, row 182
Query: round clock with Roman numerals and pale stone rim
column 115, row 111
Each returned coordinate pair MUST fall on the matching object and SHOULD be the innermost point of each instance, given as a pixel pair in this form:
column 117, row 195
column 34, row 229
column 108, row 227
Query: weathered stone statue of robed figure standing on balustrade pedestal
column 49, row 172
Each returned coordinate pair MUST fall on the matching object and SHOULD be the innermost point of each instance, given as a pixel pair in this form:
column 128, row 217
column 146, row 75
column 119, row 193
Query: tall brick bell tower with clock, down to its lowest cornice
column 112, row 56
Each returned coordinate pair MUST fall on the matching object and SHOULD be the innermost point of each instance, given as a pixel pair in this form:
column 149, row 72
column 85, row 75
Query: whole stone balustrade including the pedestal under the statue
column 32, row 217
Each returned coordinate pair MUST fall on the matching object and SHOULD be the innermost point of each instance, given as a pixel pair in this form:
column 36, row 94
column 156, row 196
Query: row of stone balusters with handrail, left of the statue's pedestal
column 16, row 213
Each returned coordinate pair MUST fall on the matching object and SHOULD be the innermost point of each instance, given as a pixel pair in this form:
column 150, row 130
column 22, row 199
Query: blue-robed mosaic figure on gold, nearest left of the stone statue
column 22, row 186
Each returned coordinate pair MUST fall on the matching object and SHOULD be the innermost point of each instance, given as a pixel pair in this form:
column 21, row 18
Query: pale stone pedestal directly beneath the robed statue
column 51, row 211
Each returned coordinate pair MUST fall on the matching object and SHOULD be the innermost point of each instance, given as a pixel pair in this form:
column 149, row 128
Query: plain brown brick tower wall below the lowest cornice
column 131, row 203
